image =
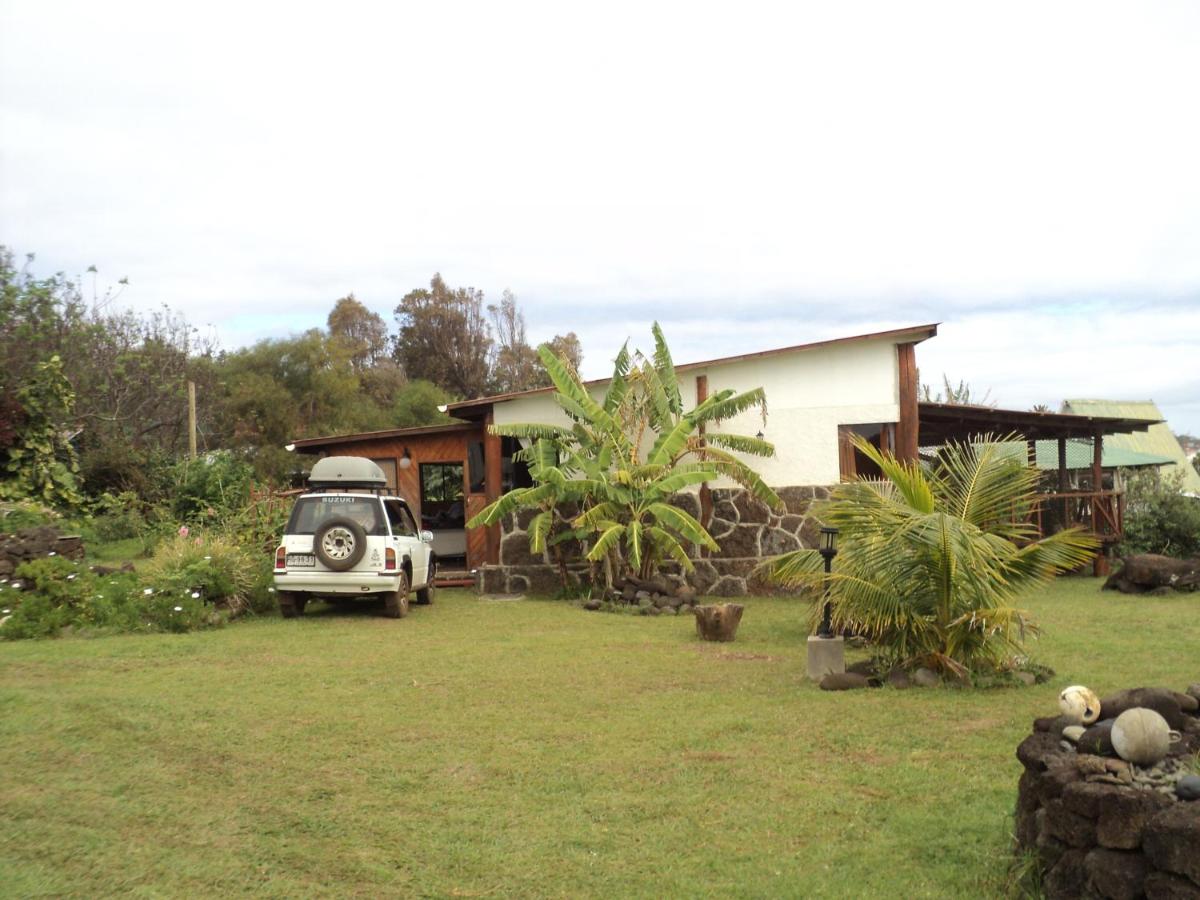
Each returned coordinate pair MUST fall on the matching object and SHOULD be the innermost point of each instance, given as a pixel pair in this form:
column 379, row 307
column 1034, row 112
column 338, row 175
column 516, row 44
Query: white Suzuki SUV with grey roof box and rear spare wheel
column 347, row 538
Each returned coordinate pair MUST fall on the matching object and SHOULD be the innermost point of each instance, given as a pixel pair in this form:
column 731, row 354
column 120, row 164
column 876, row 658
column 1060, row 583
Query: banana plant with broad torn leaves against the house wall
column 622, row 459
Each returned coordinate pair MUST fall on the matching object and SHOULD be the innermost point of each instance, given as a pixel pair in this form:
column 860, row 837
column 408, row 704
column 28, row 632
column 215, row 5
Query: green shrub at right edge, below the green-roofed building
column 1160, row 518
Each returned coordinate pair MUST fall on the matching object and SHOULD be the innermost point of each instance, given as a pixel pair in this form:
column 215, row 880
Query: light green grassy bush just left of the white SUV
column 209, row 568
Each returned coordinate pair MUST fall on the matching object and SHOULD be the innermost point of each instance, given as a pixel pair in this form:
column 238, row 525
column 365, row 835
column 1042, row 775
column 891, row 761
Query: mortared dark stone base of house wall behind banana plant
column 747, row 531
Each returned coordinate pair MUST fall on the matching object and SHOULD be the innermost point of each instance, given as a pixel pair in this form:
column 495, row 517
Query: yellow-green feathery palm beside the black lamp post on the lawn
column 934, row 556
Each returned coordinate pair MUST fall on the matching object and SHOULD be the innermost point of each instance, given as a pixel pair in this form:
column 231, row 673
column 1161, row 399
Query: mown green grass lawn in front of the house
column 491, row 749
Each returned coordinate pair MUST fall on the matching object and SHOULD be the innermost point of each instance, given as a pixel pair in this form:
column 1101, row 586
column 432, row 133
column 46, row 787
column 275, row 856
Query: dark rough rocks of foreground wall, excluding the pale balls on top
column 1101, row 827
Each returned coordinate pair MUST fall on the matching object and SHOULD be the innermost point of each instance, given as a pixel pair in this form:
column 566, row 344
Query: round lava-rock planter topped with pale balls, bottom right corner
column 1101, row 826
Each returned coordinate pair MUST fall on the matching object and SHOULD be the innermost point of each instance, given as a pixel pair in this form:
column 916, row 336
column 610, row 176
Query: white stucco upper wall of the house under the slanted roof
column 809, row 394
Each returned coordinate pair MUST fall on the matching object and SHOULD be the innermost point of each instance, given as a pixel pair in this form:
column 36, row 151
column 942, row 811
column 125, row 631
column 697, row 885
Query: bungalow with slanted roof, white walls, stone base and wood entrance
column 819, row 395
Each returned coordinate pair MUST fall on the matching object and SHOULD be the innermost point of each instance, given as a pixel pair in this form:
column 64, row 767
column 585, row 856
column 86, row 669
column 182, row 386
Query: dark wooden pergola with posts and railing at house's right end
column 1102, row 512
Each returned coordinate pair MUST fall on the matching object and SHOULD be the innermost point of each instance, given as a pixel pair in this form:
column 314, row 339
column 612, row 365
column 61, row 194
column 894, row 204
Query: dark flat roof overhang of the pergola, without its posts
column 941, row 423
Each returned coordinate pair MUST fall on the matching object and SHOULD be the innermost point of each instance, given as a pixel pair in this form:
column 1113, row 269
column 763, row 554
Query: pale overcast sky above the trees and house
column 752, row 176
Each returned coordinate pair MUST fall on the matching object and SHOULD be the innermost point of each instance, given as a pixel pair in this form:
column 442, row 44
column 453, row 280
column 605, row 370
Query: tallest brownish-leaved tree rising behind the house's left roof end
column 445, row 338
